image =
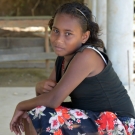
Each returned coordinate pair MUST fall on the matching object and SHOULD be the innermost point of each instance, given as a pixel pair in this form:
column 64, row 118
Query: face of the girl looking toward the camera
column 66, row 35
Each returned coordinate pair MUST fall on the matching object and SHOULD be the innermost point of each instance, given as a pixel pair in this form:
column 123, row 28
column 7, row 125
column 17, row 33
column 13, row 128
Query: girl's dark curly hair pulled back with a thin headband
column 84, row 14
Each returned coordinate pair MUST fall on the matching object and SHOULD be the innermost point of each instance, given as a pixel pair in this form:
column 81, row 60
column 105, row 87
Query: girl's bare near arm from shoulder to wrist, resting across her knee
column 83, row 64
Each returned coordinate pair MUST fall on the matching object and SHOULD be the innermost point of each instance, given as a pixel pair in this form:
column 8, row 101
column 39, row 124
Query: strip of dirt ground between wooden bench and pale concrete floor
column 22, row 77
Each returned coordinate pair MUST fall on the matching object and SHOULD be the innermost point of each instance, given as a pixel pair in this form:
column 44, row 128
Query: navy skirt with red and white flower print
column 66, row 121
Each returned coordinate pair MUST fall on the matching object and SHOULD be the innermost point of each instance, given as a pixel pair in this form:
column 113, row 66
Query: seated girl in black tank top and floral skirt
column 99, row 103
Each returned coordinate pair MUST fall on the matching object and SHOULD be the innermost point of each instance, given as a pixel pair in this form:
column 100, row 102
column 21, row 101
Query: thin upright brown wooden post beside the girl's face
column 47, row 49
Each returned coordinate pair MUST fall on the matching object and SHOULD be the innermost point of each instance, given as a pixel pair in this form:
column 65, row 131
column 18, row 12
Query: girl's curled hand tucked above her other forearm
column 44, row 86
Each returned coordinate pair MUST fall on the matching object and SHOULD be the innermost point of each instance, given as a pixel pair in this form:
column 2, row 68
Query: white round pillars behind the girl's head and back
column 115, row 18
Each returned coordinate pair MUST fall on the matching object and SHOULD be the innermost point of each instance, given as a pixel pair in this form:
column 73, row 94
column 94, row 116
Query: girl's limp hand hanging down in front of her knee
column 16, row 124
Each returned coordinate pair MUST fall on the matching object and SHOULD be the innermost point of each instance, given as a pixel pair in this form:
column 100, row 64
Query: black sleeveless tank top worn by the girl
column 102, row 92
